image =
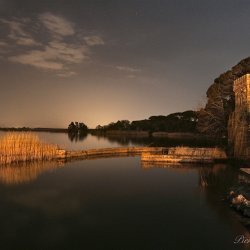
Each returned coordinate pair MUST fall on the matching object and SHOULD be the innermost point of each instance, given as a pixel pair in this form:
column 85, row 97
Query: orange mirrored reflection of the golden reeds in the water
column 25, row 172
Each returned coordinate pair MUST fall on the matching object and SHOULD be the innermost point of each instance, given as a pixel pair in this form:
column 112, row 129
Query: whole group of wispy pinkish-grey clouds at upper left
column 55, row 53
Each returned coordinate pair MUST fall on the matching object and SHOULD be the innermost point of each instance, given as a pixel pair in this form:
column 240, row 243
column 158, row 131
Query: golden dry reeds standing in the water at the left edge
column 21, row 147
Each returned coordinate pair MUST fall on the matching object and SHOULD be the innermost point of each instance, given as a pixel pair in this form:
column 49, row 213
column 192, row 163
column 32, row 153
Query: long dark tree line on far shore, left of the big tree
column 176, row 122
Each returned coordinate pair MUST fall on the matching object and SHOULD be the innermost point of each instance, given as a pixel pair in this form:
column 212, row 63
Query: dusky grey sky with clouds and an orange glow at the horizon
column 101, row 61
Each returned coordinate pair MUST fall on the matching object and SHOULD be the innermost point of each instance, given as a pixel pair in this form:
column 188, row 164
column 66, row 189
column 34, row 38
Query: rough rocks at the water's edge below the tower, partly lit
column 239, row 198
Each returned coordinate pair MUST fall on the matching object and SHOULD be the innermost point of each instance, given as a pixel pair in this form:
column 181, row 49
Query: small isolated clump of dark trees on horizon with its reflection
column 77, row 131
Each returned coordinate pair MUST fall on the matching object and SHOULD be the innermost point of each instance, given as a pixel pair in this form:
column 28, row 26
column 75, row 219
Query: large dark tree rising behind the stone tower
column 213, row 118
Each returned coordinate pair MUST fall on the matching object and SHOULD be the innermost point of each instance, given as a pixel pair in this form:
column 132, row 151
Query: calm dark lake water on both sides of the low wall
column 117, row 203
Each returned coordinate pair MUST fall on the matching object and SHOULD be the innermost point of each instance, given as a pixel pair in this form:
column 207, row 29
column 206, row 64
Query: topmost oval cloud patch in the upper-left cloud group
column 57, row 25
